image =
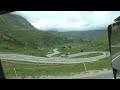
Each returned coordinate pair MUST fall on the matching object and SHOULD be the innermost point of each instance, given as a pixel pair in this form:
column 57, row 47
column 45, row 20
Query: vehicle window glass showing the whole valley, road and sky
column 56, row 44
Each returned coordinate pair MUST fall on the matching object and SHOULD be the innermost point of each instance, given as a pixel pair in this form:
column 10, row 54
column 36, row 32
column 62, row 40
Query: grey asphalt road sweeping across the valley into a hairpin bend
column 54, row 59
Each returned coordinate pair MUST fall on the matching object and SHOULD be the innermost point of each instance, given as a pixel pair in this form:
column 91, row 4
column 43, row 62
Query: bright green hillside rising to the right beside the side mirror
column 98, row 44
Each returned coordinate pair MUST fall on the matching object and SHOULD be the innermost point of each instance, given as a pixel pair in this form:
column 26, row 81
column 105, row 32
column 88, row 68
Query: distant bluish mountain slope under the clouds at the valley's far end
column 80, row 36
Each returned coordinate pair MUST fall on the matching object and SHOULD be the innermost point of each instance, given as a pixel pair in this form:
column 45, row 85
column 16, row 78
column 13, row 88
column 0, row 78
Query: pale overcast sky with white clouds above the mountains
column 70, row 20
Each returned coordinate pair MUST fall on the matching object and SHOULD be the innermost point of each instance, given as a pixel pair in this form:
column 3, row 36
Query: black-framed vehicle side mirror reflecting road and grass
column 114, row 46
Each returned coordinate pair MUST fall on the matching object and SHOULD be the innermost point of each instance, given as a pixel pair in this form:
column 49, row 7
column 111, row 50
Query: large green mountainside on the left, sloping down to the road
column 17, row 35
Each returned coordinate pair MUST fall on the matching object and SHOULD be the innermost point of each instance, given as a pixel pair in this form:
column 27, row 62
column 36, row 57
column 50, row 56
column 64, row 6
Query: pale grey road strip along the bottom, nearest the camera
column 94, row 74
